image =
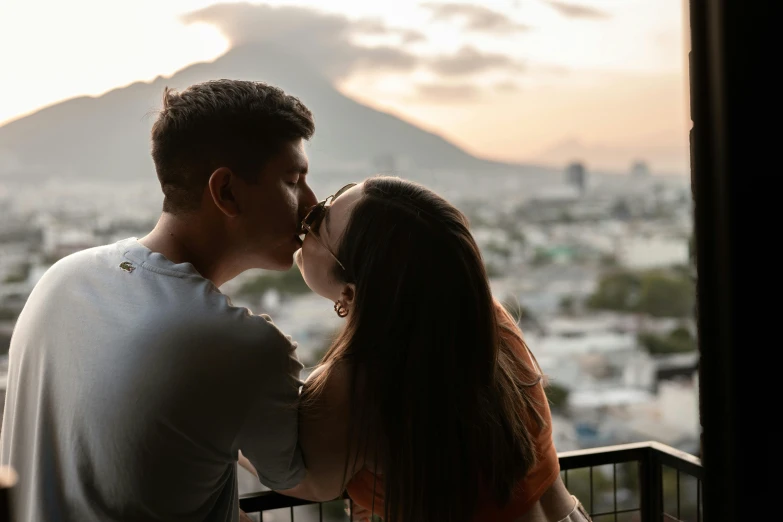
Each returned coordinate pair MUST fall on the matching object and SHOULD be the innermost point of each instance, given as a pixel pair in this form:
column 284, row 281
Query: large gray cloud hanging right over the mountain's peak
column 323, row 39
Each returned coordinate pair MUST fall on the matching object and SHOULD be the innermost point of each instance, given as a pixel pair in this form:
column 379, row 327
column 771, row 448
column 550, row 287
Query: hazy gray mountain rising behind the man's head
column 107, row 137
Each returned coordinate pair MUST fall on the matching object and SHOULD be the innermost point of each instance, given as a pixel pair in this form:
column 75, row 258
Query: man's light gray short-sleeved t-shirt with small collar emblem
column 132, row 384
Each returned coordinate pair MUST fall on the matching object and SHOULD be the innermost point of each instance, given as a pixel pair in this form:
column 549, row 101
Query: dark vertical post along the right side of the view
column 735, row 144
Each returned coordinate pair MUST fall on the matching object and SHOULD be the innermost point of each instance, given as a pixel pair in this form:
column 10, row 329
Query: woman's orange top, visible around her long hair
column 526, row 493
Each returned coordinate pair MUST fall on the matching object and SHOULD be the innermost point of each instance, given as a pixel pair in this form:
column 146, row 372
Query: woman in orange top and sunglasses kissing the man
column 428, row 405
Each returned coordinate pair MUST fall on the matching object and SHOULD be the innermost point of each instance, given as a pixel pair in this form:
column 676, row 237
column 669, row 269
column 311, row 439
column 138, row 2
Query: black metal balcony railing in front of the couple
column 645, row 482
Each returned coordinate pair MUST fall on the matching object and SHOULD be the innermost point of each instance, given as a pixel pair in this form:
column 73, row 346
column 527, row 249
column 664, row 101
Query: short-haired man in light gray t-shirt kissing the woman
column 133, row 382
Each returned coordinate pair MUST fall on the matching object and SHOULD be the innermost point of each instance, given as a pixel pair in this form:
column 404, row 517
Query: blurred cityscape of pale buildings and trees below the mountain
column 597, row 268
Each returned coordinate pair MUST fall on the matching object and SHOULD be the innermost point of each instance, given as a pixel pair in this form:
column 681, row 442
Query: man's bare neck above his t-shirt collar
column 191, row 242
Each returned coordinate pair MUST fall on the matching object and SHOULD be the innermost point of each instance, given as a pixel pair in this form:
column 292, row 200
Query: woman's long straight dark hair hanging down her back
column 437, row 399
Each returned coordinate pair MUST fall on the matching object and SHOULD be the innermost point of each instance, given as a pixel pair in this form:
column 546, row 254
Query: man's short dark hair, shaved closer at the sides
column 222, row 123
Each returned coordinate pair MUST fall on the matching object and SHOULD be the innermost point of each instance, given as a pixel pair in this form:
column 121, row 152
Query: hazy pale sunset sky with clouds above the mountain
column 544, row 80
